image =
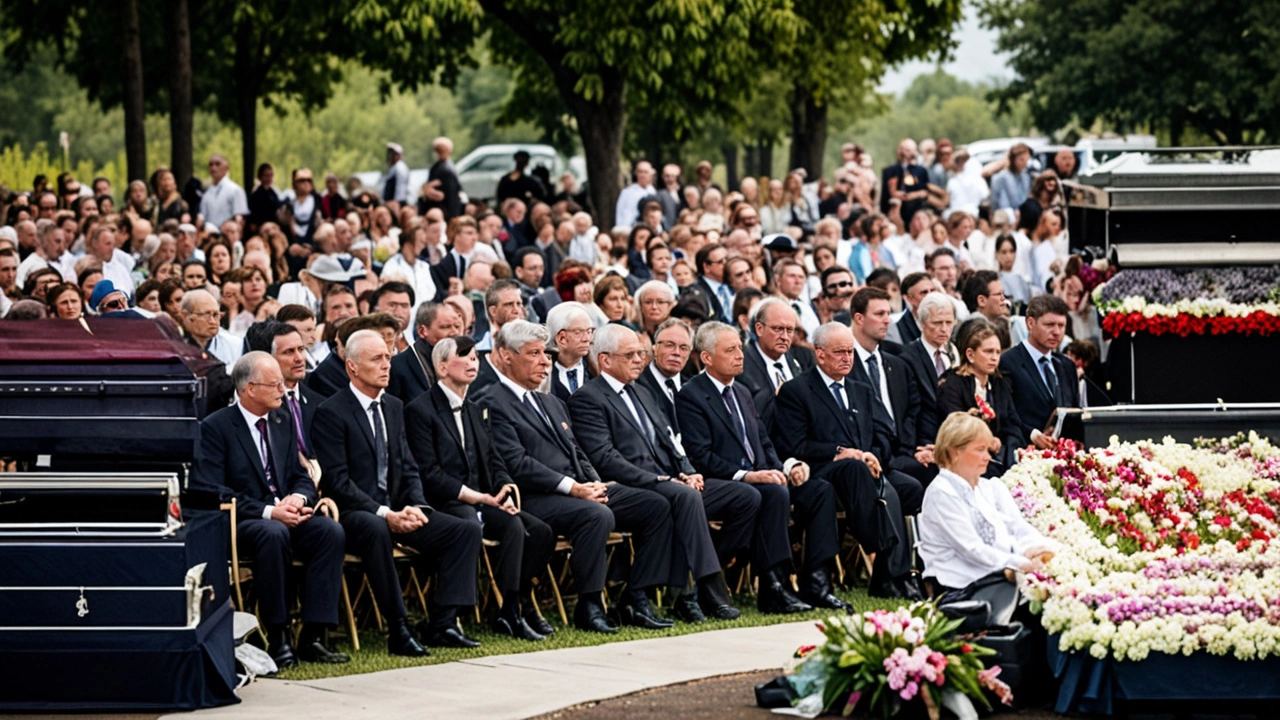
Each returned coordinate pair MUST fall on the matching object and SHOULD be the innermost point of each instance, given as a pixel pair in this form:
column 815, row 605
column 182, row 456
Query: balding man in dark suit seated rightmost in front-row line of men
column 828, row 420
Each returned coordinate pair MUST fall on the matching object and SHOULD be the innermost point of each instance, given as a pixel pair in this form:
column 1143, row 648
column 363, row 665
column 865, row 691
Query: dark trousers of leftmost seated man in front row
column 319, row 543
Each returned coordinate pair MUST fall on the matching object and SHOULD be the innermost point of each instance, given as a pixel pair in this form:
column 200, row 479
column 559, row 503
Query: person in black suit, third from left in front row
column 464, row 477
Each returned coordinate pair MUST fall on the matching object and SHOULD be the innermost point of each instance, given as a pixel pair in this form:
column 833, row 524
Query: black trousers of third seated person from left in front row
column 525, row 545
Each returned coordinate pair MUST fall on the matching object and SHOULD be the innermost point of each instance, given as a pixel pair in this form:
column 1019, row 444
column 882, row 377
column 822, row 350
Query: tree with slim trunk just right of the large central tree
column 842, row 53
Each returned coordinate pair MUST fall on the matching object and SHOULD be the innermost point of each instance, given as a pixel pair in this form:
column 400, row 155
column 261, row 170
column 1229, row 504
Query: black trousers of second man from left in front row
column 446, row 545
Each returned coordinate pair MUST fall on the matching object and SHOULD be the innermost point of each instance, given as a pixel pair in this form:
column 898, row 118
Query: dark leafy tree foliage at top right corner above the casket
column 1137, row 65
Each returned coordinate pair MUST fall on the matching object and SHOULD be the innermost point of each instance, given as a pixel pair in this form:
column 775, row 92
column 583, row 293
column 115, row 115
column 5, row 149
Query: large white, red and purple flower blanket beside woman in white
column 1167, row 548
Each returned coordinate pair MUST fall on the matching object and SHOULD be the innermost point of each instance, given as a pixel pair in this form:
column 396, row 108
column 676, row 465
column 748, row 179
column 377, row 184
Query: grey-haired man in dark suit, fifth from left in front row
column 628, row 439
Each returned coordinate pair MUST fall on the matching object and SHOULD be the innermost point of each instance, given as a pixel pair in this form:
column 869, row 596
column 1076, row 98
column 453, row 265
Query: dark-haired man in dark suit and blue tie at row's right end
column 1044, row 379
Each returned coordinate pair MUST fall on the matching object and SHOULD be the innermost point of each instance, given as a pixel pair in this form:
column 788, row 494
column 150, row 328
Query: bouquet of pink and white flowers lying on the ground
column 886, row 658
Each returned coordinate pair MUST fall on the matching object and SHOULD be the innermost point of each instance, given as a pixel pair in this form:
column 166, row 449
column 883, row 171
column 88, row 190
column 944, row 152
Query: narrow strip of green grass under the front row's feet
column 373, row 646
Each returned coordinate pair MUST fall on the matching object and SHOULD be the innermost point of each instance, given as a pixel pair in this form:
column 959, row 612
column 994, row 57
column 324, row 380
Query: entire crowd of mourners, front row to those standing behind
column 712, row 371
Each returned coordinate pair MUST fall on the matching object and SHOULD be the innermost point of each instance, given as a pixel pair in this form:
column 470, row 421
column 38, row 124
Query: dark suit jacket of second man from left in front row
column 345, row 446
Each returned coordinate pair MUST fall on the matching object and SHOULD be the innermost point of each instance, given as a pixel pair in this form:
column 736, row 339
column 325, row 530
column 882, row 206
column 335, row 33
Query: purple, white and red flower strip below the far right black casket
column 1191, row 302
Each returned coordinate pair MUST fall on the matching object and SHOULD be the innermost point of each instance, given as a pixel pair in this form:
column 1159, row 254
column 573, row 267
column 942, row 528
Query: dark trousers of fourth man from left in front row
column 587, row 525
